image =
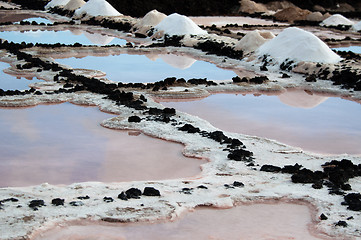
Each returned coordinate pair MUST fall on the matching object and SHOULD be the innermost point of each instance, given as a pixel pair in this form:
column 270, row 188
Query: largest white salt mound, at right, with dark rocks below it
column 298, row 45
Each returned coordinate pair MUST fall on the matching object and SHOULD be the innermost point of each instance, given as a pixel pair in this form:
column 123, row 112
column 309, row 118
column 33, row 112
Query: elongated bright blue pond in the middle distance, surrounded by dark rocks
column 152, row 68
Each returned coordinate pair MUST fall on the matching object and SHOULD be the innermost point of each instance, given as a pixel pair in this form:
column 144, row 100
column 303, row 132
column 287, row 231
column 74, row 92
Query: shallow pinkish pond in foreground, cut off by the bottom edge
column 256, row 221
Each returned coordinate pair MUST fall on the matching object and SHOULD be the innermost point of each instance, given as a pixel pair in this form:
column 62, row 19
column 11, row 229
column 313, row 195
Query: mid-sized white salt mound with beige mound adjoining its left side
column 176, row 24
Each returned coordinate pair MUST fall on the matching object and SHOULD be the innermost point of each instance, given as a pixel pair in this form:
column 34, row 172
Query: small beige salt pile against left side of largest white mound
column 253, row 40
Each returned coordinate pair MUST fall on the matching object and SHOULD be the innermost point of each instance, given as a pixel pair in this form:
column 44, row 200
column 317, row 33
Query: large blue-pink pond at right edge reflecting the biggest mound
column 312, row 122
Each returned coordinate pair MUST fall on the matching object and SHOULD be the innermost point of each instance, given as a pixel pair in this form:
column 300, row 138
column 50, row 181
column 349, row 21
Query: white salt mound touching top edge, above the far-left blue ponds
column 95, row 8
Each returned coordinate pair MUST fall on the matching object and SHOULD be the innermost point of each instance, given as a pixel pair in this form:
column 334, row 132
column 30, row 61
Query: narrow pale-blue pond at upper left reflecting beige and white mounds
column 63, row 37
